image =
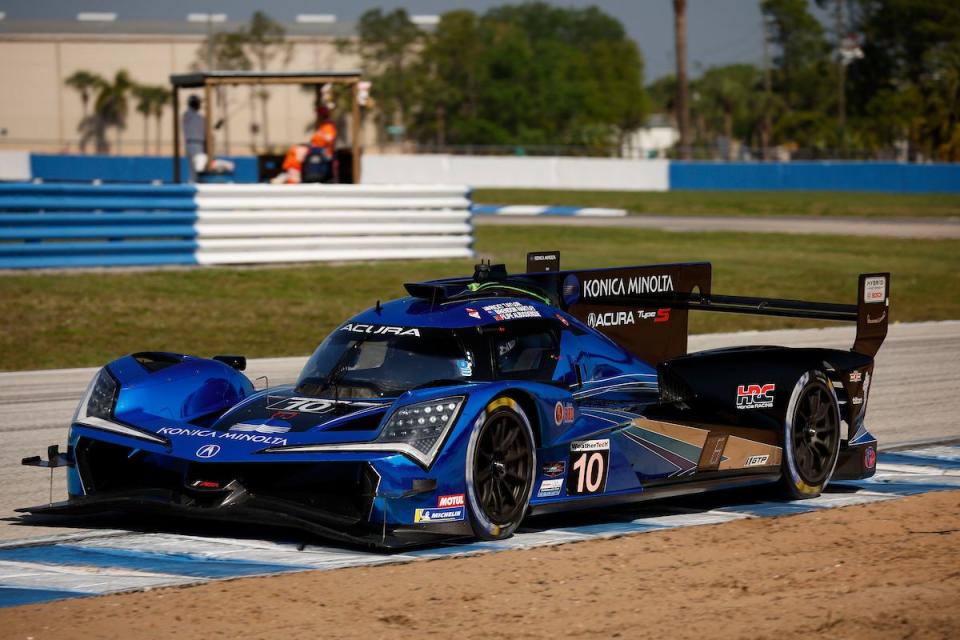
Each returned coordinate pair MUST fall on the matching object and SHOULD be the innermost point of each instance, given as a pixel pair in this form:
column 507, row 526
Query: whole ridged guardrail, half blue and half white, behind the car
column 44, row 226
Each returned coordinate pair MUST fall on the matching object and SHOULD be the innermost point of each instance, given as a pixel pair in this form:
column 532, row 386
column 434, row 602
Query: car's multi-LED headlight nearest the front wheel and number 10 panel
column 422, row 426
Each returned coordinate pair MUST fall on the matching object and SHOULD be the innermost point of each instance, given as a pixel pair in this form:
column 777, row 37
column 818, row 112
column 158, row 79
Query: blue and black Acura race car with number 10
column 475, row 401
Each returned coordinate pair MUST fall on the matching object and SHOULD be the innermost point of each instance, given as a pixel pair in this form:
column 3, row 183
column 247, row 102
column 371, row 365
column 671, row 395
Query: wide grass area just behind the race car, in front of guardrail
column 88, row 318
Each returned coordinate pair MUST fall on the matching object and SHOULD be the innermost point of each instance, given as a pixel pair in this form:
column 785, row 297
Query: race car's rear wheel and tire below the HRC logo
column 811, row 437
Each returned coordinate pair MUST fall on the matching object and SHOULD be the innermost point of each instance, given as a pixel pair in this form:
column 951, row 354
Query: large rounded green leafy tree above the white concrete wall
column 528, row 75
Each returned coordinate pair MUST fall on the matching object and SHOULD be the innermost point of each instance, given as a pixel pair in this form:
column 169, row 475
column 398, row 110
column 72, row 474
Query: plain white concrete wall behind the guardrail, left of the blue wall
column 610, row 174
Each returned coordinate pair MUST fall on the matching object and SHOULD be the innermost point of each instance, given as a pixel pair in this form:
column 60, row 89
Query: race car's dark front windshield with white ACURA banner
column 363, row 361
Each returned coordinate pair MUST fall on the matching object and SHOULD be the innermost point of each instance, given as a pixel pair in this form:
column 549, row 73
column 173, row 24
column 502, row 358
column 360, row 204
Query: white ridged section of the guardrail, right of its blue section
column 245, row 224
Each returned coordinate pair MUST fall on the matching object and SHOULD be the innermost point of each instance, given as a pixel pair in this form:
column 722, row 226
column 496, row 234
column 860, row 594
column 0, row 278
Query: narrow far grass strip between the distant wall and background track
column 739, row 203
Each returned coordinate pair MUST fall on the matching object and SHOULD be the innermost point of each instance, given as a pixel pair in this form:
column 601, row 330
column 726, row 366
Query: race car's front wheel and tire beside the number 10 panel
column 500, row 468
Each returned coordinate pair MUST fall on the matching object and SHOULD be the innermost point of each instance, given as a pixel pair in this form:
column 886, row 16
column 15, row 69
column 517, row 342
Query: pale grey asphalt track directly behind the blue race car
column 912, row 401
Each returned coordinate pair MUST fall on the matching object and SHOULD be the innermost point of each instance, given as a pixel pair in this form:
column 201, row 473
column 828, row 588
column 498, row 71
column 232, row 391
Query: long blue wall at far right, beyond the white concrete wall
column 887, row 177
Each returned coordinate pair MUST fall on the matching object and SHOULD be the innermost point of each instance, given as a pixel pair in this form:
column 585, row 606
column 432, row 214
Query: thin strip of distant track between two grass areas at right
column 935, row 229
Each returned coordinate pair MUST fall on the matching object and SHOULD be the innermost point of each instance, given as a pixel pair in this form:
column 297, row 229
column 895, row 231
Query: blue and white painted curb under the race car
column 100, row 562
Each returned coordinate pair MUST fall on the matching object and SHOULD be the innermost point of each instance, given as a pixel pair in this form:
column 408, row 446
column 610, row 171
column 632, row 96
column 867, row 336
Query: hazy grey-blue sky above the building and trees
column 718, row 31
